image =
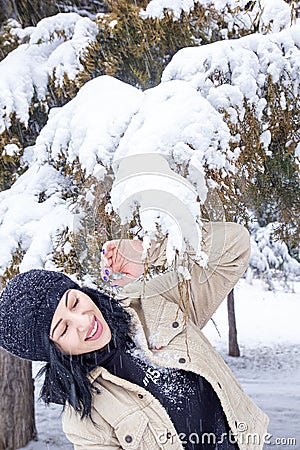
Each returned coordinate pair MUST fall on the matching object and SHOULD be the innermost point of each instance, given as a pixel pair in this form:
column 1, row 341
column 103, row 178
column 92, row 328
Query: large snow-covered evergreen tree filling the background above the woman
column 218, row 112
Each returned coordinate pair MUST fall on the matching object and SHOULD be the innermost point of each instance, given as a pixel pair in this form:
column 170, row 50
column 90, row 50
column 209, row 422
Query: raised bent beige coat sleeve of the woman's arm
column 227, row 246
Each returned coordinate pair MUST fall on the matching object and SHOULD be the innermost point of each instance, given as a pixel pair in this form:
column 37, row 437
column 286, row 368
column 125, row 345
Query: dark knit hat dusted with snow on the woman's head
column 27, row 305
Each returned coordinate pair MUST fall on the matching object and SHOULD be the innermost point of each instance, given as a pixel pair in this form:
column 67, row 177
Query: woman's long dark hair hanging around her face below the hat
column 67, row 376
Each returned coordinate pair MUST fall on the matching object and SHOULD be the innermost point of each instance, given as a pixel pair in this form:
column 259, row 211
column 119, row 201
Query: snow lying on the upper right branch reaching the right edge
column 230, row 73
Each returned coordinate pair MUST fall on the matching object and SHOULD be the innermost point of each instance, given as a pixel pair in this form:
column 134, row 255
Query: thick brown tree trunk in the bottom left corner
column 17, row 425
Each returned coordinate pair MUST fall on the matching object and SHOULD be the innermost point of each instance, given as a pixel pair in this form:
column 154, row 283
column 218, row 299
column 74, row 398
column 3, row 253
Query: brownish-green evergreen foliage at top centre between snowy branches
column 137, row 50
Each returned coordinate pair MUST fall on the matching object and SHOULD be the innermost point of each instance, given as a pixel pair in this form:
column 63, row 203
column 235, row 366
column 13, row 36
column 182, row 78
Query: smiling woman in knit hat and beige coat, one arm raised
column 135, row 371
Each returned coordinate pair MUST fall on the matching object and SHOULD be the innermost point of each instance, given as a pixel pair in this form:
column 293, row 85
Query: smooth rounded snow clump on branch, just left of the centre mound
column 90, row 126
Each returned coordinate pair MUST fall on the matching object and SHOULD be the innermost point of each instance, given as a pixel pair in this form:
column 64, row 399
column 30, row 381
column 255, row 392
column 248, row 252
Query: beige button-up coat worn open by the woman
column 127, row 416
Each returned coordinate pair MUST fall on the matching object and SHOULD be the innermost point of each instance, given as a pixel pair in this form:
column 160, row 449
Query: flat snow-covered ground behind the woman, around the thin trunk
column 269, row 368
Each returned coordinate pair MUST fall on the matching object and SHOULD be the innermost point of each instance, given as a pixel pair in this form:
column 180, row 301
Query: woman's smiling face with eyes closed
column 78, row 326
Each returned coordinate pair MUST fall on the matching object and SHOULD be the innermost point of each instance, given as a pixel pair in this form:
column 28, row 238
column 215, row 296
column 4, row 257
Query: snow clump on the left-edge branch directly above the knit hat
column 31, row 212
